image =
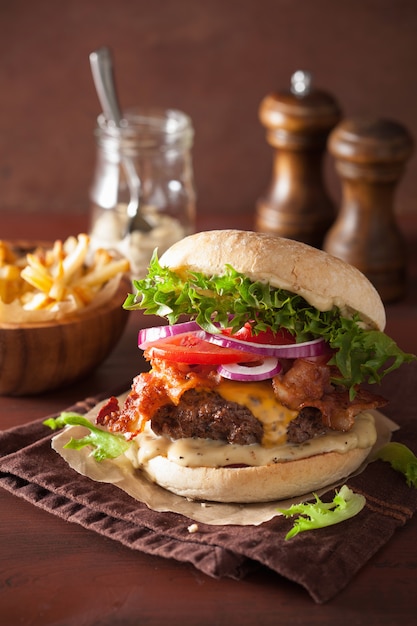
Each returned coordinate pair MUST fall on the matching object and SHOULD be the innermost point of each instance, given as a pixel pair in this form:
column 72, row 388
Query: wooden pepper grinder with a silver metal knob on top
column 298, row 122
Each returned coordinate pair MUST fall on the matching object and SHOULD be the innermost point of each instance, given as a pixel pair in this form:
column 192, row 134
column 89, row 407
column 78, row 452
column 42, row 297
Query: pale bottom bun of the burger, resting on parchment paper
column 255, row 484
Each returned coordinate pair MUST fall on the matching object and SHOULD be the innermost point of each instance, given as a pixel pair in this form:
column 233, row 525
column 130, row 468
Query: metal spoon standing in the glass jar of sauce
column 102, row 69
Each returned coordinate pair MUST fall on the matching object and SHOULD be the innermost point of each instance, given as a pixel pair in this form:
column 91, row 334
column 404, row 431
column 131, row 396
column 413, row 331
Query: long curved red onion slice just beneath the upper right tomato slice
column 316, row 347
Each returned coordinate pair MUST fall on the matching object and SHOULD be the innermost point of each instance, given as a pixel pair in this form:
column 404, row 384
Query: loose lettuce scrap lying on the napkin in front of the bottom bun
column 318, row 514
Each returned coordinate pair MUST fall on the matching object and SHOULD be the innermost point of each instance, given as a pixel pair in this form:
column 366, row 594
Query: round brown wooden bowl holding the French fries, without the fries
column 40, row 357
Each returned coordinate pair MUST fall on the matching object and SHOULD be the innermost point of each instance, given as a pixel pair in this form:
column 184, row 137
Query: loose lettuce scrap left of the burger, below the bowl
column 104, row 445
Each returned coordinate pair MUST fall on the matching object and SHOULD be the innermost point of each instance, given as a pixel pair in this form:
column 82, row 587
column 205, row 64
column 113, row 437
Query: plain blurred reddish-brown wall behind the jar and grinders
column 215, row 59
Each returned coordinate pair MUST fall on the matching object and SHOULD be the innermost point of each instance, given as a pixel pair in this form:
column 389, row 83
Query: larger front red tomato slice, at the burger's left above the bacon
column 189, row 348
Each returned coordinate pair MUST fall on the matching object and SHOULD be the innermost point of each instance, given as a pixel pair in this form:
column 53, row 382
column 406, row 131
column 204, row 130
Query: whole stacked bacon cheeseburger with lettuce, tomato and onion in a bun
column 258, row 387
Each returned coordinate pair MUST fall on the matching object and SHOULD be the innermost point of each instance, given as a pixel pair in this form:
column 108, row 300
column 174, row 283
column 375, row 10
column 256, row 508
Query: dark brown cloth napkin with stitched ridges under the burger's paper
column 323, row 561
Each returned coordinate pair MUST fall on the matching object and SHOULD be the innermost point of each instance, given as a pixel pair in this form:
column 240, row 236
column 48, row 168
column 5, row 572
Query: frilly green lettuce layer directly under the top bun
column 232, row 299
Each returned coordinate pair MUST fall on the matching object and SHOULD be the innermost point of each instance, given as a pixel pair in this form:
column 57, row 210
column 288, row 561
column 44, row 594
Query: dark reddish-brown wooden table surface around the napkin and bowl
column 55, row 572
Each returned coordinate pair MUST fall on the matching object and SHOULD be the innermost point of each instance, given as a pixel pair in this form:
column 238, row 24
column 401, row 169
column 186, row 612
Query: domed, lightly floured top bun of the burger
column 324, row 281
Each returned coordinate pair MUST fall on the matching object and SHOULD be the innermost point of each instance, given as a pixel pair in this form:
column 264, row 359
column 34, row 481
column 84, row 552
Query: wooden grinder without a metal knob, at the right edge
column 370, row 159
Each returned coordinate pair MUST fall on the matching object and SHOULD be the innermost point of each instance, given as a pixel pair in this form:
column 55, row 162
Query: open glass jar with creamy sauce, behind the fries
column 145, row 165
